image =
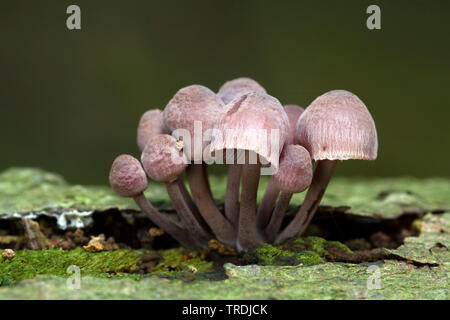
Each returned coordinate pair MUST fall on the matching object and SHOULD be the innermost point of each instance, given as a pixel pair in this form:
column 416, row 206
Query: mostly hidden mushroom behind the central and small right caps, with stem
column 293, row 112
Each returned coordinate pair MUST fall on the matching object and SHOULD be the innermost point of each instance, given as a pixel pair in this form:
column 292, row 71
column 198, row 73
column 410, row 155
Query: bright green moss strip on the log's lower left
column 28, row 264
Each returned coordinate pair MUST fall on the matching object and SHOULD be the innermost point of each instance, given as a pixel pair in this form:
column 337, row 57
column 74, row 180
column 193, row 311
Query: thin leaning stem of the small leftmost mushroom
column 179, row 234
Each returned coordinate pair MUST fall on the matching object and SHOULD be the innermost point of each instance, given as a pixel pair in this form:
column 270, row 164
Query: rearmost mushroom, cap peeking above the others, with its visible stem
column 229, row 91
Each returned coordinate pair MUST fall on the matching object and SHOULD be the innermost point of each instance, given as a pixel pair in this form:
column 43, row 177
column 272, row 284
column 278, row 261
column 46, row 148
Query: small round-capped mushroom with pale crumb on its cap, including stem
column 164, row 161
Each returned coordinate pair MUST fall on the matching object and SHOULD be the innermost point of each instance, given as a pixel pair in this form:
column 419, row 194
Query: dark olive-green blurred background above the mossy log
column 71, row 100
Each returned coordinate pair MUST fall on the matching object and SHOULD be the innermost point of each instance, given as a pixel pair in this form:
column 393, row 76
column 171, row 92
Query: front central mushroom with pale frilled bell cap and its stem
column 254, row 124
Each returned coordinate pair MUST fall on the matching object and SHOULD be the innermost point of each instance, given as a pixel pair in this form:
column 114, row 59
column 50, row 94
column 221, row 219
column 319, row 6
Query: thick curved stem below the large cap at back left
column 220, row 226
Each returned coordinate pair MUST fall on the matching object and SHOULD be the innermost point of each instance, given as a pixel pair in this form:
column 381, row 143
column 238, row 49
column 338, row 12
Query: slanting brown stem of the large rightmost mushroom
column 321, row 178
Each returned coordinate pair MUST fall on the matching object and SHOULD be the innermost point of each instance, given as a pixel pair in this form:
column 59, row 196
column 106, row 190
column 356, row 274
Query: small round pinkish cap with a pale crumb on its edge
column 163, row 158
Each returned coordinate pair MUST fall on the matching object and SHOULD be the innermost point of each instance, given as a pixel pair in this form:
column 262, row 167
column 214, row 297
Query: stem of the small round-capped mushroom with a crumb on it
column 190, row 222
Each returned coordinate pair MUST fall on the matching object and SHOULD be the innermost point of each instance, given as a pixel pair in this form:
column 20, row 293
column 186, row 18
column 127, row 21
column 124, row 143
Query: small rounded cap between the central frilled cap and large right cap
column 295, row 170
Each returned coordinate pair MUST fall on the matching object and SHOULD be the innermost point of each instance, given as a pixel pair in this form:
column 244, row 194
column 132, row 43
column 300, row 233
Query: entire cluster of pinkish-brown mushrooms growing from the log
column 250, row 132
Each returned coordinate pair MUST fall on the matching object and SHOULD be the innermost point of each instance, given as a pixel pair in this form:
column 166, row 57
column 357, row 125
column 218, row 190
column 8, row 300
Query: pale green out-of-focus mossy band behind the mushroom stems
column 24, row 190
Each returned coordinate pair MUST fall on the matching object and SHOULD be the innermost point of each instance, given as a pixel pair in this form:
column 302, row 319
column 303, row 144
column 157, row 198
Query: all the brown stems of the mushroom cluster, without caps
column 242, row 224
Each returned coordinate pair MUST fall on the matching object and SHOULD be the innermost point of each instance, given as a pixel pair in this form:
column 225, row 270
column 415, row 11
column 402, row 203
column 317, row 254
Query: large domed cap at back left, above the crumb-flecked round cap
column 191, row 104
